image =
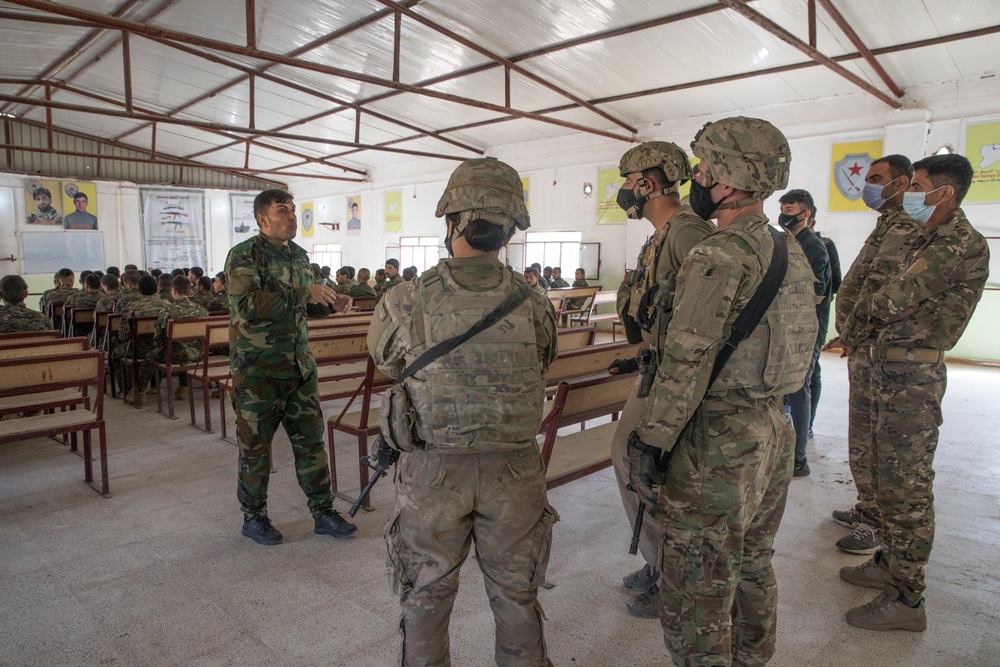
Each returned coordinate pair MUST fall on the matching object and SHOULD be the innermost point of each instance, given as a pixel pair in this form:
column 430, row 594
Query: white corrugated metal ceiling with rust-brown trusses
column 597, row 66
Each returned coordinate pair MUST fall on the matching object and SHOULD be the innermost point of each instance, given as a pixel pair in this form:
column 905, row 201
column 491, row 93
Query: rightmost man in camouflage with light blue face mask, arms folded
column 915, row 317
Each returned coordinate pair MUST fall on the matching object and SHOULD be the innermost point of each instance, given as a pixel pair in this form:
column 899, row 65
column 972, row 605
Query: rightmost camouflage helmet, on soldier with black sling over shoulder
column 749, row 154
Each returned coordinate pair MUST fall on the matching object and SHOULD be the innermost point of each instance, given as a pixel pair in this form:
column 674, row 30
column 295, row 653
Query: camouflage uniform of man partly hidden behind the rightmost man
column 889, row 242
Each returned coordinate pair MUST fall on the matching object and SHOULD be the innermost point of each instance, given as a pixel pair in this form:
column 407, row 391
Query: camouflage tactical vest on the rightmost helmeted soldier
column 774, row 359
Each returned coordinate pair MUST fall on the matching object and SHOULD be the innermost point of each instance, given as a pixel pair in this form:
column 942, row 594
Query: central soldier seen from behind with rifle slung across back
column 471, row 471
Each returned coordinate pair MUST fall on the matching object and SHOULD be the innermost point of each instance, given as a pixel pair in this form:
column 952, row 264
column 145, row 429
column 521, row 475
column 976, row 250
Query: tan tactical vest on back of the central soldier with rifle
column 488, row 392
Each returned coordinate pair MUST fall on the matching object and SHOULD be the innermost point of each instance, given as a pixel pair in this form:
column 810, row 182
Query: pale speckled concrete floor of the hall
column 159, row 574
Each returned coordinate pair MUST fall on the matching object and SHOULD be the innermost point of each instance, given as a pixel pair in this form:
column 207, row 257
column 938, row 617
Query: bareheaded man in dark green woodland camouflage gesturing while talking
column 271, row 290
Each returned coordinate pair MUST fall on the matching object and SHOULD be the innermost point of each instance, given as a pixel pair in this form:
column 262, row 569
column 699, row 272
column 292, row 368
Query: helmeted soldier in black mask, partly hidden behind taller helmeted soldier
column 653, row 173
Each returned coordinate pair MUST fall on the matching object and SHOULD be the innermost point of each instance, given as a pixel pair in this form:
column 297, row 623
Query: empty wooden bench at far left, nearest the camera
column 34, row 379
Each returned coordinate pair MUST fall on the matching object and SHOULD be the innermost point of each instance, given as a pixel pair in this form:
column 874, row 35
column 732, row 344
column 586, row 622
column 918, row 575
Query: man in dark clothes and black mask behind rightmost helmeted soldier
column 796, row 212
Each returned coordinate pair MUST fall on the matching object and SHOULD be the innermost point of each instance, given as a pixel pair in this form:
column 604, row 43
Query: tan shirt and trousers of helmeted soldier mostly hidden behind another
column 656, row 268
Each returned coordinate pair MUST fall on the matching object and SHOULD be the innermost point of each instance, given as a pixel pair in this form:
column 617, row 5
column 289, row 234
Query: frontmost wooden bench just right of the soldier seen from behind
column 577, row 455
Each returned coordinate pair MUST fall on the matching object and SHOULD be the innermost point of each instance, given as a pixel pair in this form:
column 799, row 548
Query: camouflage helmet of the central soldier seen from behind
column 486, row 189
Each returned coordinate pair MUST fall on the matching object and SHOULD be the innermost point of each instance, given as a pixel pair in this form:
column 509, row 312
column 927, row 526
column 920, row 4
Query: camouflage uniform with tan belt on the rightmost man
column 915, row 317
